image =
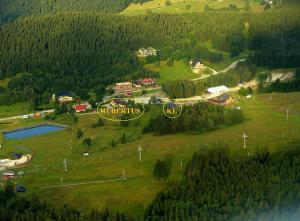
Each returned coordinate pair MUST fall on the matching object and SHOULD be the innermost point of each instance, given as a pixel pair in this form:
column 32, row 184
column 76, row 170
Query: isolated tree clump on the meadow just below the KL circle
column 198, row 118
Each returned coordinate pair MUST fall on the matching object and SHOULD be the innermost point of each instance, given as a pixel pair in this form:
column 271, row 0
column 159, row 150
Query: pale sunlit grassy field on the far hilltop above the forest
column 180, row 6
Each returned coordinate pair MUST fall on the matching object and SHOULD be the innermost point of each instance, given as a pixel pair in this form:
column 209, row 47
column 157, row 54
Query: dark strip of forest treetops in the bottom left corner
column 16, row 208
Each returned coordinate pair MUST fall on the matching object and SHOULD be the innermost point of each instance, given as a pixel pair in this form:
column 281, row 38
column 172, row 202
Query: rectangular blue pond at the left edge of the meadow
column 32, row 131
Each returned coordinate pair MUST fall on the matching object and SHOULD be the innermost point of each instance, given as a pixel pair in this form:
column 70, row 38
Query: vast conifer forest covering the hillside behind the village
column 94, row 50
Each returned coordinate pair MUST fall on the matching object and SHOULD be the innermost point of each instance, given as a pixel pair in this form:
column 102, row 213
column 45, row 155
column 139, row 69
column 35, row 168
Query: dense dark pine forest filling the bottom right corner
column 262, row 186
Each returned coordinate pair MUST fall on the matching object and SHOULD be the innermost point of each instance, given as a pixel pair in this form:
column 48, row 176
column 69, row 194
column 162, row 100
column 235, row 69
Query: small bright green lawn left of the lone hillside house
column 178, row 71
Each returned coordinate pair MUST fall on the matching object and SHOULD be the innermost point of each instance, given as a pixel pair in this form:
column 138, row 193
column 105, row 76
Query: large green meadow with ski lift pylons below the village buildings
column 265, row 125
